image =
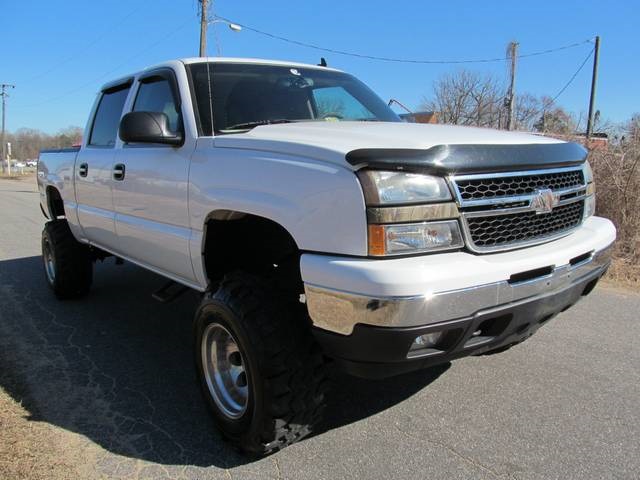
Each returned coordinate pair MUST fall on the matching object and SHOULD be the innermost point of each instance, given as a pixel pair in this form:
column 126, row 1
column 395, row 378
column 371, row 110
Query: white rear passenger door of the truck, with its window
column 93, row 167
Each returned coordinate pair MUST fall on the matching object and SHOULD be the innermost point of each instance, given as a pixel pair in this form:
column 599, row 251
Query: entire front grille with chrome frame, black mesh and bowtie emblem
column 522, row 209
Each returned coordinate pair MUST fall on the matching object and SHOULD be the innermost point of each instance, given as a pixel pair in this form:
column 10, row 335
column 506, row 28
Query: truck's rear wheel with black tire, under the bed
column 67, row 263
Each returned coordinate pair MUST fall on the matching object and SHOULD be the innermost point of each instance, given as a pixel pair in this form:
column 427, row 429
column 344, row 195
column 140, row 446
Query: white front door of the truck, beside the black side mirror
column 150, row 194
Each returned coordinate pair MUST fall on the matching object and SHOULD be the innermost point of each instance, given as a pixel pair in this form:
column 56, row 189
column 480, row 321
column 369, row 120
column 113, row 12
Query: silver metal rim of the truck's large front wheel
column 224, row 371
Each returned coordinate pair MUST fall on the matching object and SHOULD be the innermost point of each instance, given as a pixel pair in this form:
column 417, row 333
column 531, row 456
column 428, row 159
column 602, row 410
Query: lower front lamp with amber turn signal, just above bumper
column 414, row 238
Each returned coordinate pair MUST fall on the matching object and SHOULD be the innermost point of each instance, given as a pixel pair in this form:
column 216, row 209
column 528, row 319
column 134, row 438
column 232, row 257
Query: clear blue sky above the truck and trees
column 59, row 53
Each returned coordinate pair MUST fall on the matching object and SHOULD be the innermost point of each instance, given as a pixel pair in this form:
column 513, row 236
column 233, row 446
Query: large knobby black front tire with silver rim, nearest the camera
column 261, row 372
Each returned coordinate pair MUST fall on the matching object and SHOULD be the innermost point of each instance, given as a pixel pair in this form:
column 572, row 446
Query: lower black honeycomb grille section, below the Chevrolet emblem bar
column 505, row 230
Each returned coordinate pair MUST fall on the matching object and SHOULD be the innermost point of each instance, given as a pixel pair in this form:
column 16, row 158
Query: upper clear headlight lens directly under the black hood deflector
column 393, row 188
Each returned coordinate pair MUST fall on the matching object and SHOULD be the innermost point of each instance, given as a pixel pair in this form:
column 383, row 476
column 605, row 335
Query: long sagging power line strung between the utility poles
column 398, row 60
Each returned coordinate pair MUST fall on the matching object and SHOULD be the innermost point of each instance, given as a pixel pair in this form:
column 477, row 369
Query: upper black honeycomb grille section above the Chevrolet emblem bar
column 511, row 186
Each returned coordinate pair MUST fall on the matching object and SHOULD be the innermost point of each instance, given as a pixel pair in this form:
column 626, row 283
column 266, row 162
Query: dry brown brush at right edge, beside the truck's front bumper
column 617, row 176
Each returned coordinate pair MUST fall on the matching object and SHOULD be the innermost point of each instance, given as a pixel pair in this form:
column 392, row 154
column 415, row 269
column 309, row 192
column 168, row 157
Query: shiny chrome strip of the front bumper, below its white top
column 339, row 311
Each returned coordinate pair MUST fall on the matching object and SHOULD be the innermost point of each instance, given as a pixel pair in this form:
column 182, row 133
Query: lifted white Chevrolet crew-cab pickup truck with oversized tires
column 318, row 226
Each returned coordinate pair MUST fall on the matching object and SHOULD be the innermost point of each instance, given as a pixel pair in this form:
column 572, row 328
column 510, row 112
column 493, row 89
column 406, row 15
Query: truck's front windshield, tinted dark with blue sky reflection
column 248, row 95
